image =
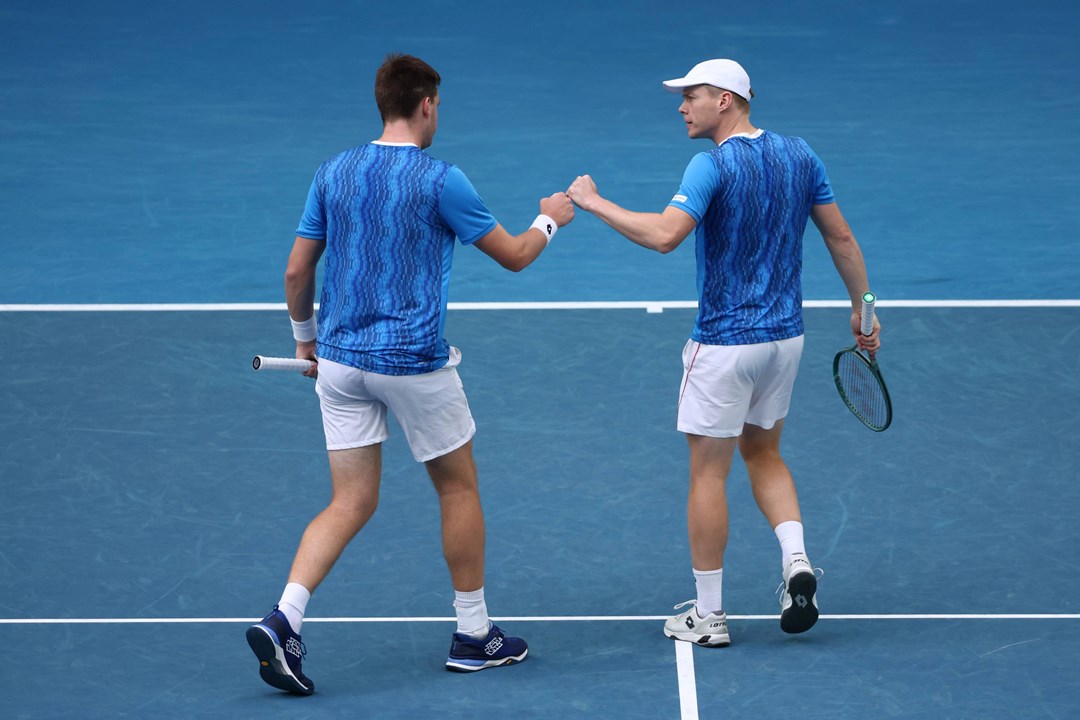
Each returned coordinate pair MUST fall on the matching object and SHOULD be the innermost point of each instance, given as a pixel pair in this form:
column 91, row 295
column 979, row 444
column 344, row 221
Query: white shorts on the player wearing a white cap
column 727, row 387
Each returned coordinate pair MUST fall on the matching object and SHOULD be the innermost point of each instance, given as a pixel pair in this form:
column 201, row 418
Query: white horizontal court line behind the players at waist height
column 649, row 306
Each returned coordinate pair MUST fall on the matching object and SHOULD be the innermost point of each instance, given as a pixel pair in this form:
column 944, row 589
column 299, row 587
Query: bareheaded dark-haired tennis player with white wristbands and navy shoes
column 386, row 216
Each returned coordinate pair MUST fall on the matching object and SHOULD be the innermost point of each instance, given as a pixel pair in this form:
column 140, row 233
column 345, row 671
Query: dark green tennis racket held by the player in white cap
column 859, row 378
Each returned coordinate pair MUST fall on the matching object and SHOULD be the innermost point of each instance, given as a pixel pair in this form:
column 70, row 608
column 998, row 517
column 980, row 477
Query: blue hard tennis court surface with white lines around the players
column 153, row 166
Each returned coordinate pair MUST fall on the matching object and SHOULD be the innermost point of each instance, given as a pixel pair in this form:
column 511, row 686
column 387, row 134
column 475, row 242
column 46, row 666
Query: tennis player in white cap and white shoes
column 748, row 200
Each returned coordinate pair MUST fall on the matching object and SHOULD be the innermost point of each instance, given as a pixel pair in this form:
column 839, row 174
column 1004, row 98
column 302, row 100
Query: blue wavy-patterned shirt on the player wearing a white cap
column 751, row 197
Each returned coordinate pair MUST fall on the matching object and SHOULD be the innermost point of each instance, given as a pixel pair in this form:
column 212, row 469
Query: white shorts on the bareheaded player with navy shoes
column 431, row 409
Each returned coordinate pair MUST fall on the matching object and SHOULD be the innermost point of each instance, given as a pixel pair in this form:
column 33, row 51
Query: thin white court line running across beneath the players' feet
column 526, row 619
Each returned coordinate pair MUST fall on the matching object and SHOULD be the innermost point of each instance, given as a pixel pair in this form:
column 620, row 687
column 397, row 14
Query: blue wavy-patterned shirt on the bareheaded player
column 389, row 215
